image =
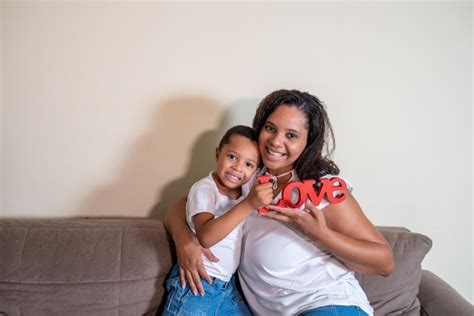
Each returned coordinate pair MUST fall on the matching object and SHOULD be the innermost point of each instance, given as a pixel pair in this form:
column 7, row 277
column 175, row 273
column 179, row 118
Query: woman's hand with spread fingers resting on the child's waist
column 191, row 267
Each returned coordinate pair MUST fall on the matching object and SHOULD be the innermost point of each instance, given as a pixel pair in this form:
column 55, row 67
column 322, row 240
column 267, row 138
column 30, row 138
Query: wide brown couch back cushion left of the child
column 82, row 267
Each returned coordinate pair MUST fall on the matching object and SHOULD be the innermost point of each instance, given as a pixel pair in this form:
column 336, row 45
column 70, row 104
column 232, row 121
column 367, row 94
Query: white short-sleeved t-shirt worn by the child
column 205, row 197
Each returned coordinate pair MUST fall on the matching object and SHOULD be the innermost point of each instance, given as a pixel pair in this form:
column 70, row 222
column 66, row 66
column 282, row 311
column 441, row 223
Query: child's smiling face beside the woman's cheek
column 236, row 163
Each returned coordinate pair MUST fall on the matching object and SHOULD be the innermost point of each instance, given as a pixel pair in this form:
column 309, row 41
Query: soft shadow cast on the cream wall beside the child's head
column 183, row 129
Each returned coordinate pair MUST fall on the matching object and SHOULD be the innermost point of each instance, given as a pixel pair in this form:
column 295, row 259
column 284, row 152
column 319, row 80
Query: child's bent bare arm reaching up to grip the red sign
column 210, row 230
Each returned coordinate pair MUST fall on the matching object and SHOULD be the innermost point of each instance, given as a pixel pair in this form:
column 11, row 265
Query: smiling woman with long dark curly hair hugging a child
column 294, row 261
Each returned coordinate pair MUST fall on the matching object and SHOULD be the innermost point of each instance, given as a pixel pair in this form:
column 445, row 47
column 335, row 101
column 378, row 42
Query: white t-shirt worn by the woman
column 284, row 272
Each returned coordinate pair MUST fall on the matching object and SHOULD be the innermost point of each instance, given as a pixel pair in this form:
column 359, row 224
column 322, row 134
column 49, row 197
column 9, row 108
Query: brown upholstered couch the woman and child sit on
column 118, row 266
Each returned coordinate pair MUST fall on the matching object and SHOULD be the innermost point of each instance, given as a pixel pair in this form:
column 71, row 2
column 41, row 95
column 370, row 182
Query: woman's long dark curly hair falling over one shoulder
column 314, row 162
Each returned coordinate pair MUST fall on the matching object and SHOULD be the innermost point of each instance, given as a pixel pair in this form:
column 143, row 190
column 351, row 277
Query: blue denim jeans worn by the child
column 220, row 298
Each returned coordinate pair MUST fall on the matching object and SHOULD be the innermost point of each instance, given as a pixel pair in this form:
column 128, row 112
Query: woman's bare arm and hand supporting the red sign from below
column 345, row 231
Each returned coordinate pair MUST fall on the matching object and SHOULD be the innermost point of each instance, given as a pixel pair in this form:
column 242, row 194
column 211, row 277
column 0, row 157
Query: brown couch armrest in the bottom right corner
column 438, row 298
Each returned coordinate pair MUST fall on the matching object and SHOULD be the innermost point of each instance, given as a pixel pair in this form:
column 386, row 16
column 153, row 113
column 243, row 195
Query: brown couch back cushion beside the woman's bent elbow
column 397, row 293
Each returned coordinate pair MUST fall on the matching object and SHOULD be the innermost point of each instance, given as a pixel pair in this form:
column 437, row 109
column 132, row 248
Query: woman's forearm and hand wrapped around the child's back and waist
column 188, row 250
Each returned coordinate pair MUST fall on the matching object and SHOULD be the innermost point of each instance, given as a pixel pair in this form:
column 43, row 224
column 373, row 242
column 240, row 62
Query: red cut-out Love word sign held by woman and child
column 330, row 188
